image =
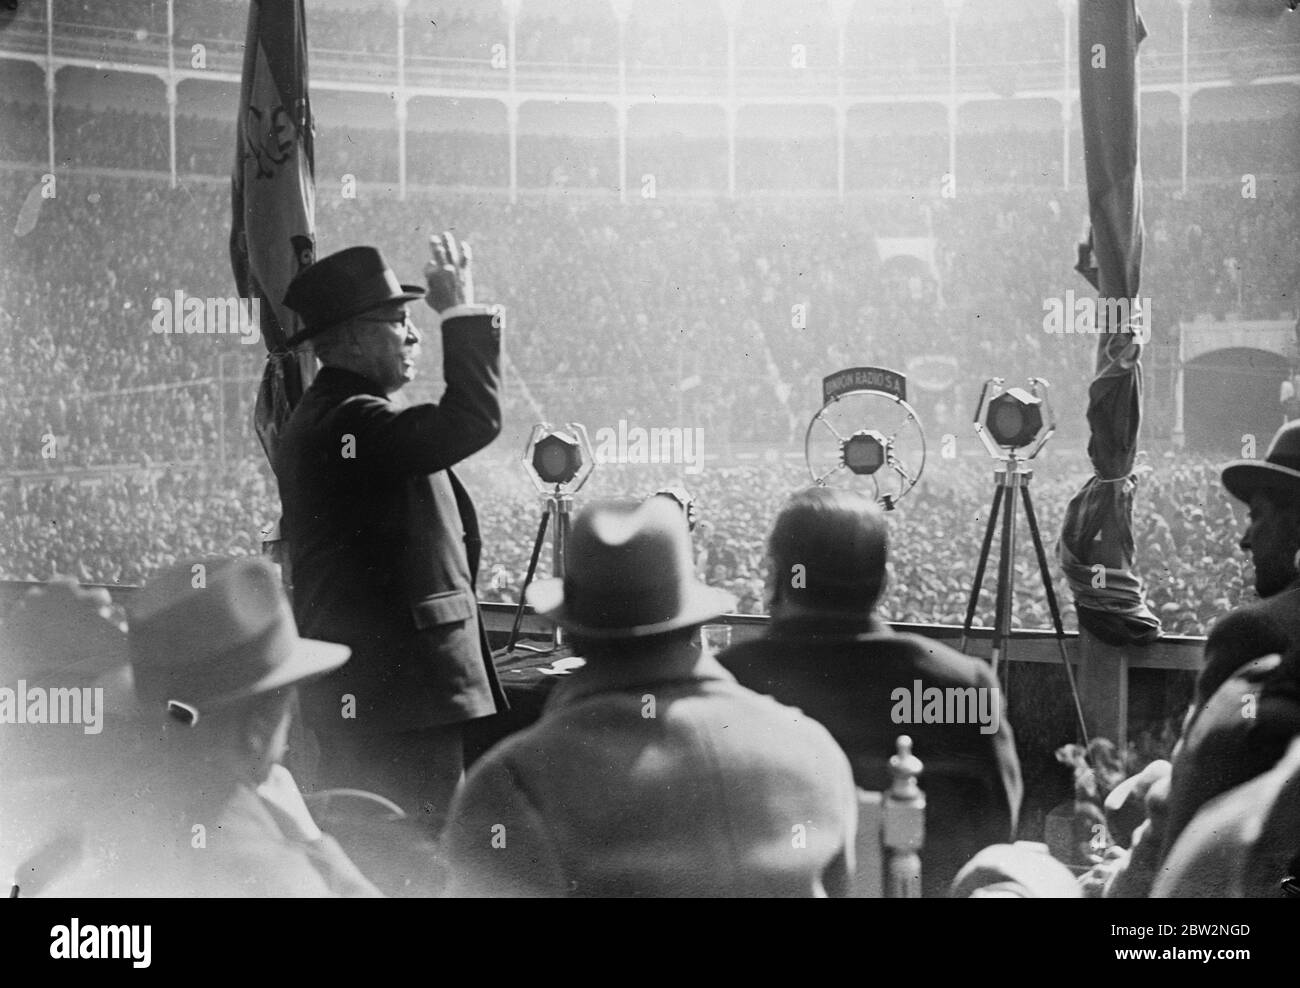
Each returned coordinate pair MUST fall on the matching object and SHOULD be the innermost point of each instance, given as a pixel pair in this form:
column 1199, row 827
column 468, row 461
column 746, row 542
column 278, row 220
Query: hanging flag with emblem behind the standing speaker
column 274, row 198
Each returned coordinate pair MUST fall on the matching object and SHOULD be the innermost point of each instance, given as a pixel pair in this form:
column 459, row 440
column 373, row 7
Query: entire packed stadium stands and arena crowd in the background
column 617, row 306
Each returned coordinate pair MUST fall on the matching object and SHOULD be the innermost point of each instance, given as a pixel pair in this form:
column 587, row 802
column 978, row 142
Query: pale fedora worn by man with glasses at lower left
column 209, row 632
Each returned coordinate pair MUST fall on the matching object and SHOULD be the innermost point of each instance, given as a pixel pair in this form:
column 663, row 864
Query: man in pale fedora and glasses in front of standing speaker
column 215, row 660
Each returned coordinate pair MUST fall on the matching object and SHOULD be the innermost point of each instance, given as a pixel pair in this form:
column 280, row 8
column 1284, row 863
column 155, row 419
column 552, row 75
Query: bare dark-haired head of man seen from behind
column 827, row 553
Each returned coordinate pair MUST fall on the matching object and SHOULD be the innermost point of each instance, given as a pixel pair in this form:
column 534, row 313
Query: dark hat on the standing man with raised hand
column 341, row 287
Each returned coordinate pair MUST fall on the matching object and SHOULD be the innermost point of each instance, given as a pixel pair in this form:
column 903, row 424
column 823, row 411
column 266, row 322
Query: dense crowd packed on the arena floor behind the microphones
column 122, row 527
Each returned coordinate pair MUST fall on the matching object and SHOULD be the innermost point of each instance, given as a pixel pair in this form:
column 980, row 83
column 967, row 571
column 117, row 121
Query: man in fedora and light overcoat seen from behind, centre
column 652, row 772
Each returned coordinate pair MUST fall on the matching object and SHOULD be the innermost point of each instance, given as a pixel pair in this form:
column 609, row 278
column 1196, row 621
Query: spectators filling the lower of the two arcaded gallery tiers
column 678, row 164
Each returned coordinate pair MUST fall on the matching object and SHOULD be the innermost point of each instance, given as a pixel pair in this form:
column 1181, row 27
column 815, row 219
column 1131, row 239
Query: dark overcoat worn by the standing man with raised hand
column 384, row 541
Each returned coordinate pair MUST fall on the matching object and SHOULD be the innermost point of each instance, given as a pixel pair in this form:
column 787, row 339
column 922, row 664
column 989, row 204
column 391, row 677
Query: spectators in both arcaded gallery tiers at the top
column 996, row 49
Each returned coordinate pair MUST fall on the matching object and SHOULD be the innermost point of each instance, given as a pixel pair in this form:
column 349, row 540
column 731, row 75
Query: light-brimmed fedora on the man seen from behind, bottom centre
column 629, row 575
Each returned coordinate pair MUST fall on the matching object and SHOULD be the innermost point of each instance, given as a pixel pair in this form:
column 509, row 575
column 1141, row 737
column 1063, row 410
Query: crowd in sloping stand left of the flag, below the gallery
column 84, row 363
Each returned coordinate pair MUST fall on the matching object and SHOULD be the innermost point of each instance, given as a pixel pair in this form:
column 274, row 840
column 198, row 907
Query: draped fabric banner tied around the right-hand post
column 1097, row 547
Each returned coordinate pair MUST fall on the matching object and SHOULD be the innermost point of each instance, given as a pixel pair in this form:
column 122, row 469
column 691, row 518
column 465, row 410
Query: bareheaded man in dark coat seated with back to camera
column 827, row 655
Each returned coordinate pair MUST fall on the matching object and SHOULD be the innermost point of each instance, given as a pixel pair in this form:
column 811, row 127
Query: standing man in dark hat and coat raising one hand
column 383, row 538
